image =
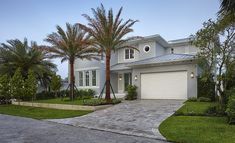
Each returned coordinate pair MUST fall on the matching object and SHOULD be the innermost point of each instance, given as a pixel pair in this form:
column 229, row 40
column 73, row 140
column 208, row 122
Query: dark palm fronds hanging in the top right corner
column 227, row 7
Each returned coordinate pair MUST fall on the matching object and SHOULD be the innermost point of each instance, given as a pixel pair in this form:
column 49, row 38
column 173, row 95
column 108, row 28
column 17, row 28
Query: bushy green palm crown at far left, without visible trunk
column 17, row 54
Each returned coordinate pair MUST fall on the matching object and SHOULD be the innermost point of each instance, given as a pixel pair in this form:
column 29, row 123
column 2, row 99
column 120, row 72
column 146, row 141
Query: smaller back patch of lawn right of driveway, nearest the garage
column 195, row 108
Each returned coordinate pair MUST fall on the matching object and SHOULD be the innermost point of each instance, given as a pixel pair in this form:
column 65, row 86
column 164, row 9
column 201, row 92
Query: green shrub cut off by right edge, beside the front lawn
column 231, row 109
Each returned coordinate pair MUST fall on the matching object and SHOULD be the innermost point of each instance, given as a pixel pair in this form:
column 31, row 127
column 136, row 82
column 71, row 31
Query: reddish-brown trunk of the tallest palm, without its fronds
column 107, row 93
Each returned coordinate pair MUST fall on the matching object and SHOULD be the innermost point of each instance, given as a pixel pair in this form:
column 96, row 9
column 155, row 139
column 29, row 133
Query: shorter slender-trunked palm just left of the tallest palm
column 69, row 45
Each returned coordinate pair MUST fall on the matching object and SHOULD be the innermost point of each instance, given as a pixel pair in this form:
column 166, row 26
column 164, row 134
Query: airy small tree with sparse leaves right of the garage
column 216, row 43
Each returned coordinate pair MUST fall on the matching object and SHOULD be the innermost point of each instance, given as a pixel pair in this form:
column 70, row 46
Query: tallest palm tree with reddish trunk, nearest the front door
column 108, row 32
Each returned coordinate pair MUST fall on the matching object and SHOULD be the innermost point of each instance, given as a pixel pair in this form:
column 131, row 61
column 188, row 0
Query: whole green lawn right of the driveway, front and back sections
column 184, row 128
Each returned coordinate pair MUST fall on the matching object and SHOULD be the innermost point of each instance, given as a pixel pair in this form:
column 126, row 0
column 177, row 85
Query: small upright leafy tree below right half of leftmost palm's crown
column 30, row 85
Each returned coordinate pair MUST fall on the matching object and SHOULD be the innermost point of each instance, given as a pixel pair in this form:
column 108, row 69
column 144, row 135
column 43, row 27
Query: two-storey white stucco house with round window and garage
column 160, row 69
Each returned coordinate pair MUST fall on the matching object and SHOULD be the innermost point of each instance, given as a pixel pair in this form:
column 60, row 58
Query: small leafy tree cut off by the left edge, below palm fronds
column 5, row 87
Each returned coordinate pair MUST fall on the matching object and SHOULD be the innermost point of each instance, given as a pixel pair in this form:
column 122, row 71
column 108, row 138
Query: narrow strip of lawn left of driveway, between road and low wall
column 39, row 113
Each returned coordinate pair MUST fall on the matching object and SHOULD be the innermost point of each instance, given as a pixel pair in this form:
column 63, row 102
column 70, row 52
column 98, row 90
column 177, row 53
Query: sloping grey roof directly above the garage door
column 163, row 59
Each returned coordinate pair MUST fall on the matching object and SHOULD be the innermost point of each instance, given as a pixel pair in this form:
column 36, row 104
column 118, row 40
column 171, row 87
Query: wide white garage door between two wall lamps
column 166, row 85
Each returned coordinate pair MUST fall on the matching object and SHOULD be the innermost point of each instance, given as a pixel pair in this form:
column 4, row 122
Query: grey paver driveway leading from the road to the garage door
column 140, row 118
